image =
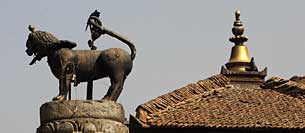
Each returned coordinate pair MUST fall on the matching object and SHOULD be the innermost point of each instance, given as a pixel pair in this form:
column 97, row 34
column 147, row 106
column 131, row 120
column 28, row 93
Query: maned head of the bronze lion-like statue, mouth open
column 37, row 44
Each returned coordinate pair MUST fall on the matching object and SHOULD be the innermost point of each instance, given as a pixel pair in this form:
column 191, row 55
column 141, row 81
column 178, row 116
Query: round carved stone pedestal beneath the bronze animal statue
column 82, row 116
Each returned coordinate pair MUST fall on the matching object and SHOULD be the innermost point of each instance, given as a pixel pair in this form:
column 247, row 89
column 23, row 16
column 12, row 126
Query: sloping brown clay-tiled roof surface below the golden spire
column 215, row 103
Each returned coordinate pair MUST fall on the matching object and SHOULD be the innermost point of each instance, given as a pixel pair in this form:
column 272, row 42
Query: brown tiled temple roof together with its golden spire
column 238, row 98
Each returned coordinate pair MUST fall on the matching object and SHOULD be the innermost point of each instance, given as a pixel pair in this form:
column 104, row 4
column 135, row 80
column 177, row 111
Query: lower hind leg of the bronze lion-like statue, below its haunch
column 115, row 88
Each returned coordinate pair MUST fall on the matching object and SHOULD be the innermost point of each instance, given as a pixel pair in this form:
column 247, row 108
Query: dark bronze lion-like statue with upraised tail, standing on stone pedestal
column 78, row 66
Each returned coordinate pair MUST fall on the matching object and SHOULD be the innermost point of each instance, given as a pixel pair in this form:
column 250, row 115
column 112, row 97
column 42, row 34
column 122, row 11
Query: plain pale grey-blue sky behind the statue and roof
column 178, row 42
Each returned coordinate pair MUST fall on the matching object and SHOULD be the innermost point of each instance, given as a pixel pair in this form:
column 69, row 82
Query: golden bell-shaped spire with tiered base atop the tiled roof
column 240, row 68
